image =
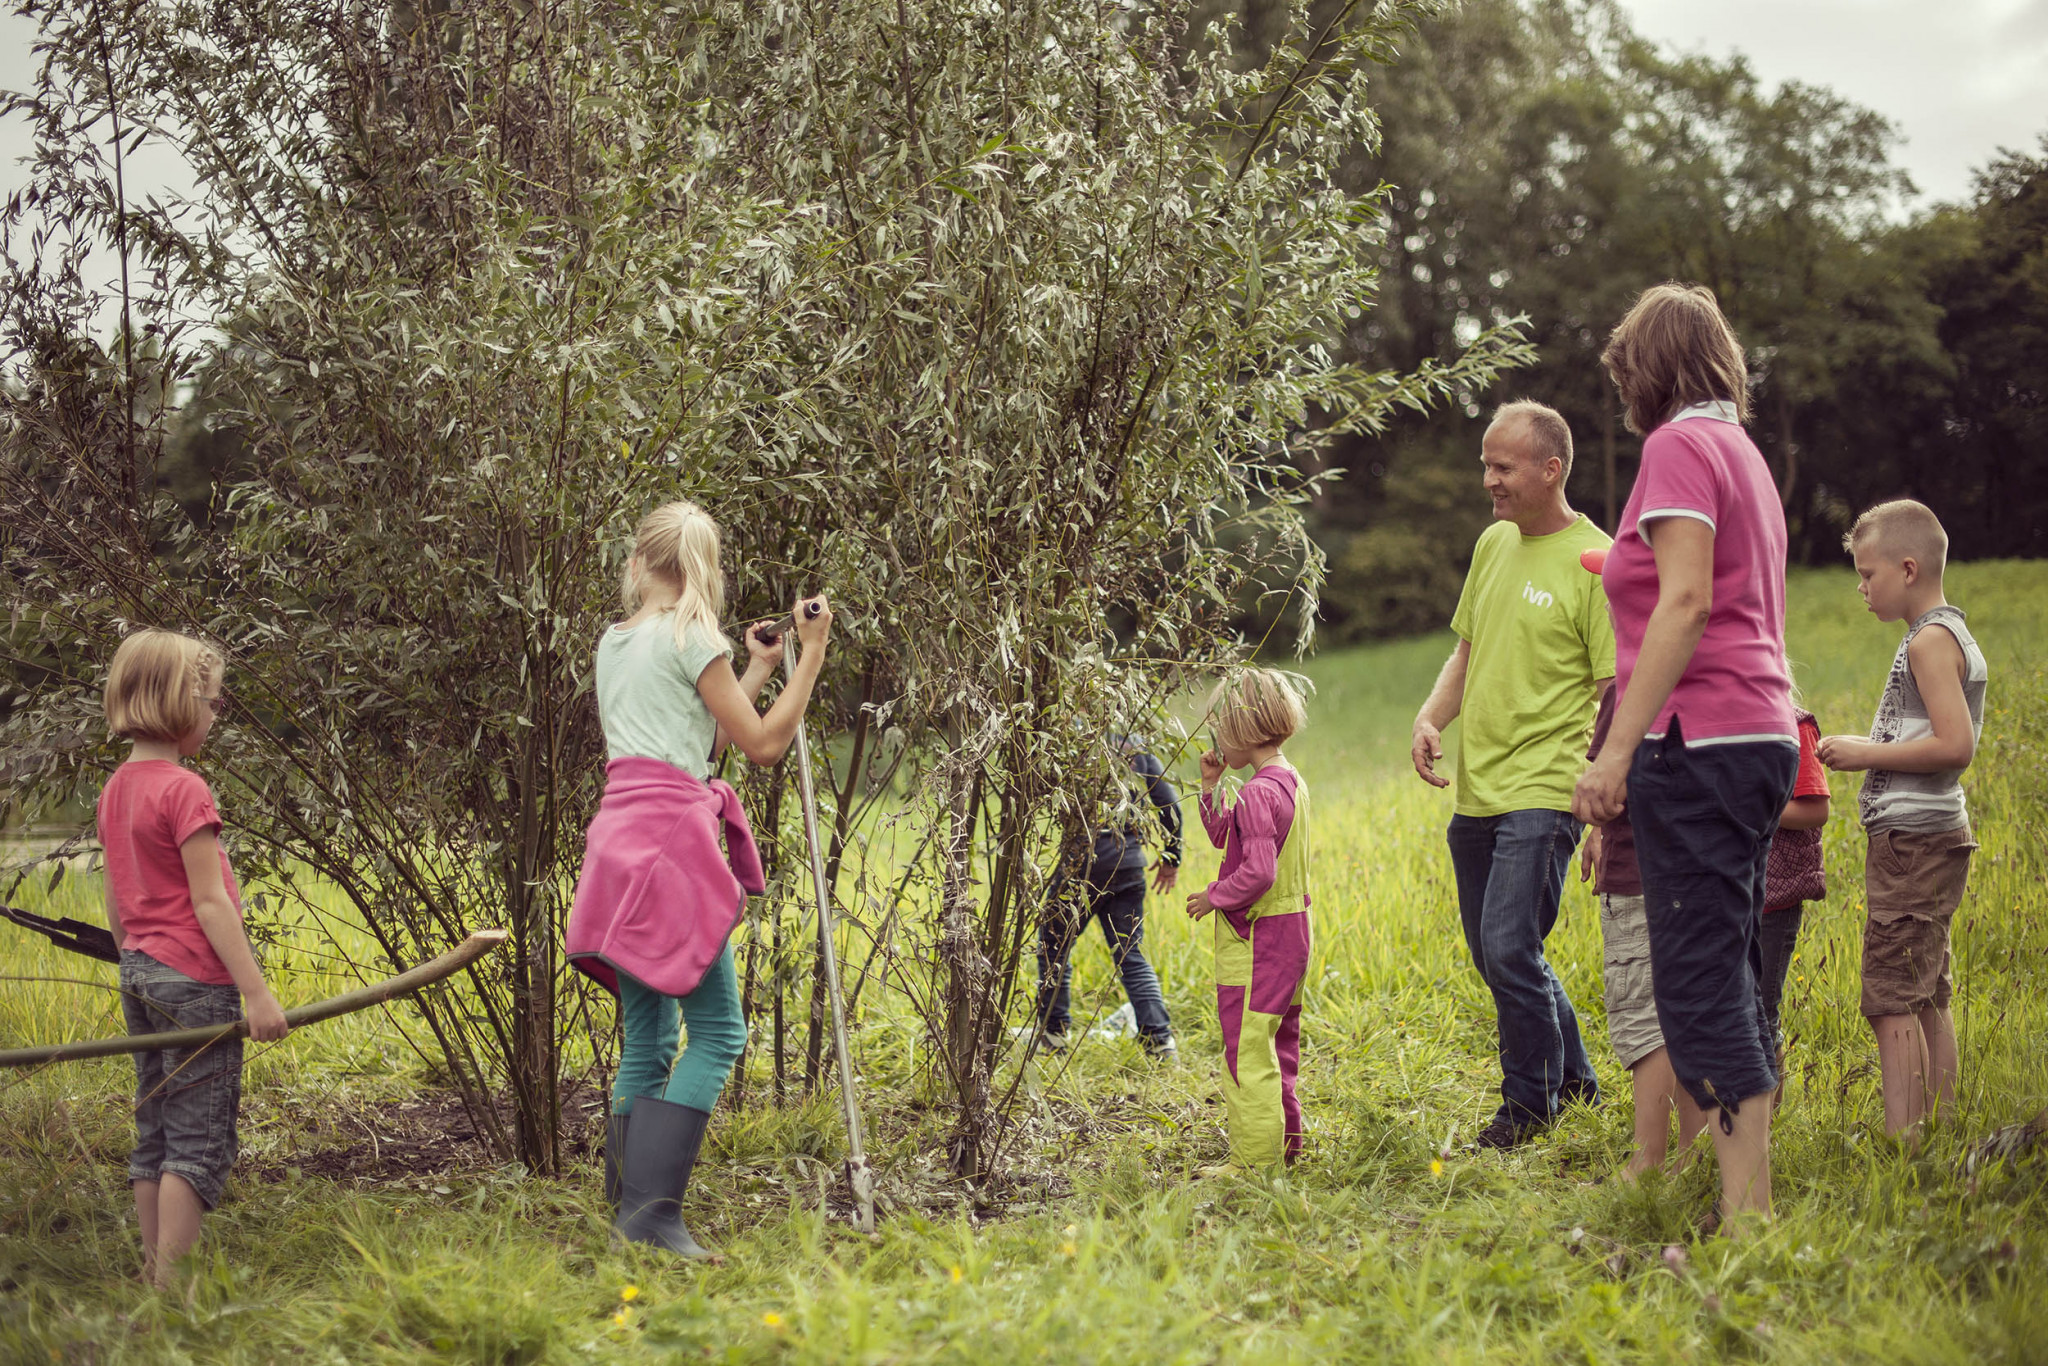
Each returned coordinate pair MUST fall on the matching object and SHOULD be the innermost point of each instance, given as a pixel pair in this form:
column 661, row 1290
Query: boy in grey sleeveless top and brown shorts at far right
column 1914, row 812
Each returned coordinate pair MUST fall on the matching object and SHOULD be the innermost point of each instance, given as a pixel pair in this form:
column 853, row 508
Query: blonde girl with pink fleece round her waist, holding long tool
column 658, row 900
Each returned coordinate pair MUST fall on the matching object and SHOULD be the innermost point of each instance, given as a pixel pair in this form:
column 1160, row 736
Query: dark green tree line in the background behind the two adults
column 1549, row 163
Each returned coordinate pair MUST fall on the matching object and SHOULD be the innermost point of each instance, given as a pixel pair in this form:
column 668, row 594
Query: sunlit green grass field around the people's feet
column 1392, row 1242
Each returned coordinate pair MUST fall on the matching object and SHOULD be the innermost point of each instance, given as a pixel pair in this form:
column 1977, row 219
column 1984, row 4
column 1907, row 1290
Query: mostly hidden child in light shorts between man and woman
column 1625, row 937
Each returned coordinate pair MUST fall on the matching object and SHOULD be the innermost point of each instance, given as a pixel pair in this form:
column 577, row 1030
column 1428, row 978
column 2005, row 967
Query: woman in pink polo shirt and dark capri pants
column 1703, row 746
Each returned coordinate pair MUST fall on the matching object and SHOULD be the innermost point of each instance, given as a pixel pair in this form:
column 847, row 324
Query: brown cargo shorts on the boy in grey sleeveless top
column 1914, row 884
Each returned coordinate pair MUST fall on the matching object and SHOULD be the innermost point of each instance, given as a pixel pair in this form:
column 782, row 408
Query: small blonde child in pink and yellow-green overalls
column 1263, row 914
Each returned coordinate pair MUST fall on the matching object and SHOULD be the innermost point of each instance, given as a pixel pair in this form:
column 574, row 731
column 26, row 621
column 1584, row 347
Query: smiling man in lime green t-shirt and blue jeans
column 1535, row 650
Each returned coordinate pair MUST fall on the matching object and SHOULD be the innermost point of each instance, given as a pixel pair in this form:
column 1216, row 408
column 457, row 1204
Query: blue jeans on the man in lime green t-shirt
column 1510, row 880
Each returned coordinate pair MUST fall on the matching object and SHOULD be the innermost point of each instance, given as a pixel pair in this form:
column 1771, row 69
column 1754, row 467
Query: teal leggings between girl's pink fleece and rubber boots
column 650, row 1029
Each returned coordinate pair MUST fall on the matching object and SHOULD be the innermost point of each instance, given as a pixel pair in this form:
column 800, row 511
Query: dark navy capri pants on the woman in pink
column 1705, row 822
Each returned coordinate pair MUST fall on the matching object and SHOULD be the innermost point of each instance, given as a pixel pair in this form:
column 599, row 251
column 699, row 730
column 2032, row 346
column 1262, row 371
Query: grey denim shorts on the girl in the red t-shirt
column 185, row 1099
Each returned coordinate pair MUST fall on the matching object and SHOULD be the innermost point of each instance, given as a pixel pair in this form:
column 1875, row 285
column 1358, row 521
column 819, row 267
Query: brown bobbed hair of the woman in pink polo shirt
column 1674, row 349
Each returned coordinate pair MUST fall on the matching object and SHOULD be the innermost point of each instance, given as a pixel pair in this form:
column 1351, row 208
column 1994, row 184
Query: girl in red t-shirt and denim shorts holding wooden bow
column 185, row 959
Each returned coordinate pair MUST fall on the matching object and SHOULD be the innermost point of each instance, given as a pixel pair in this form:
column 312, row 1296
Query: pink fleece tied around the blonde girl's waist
column 658, row 896
